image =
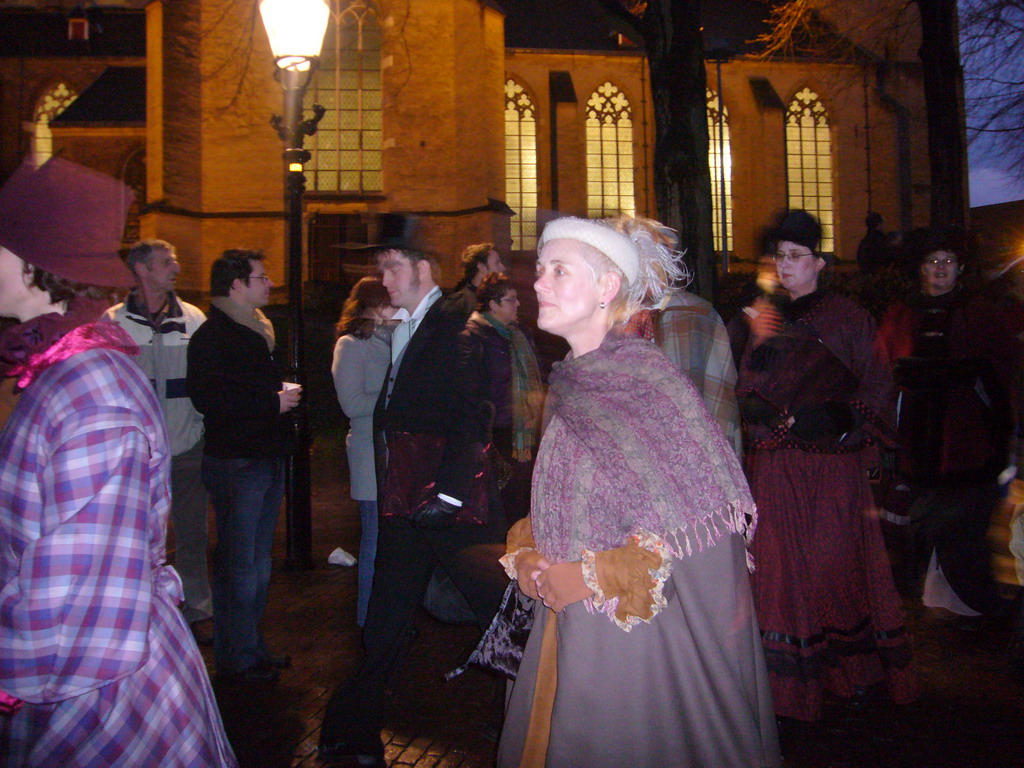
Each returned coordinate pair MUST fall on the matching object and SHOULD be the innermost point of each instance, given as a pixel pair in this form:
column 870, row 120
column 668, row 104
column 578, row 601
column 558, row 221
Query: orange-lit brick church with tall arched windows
column 483, row 117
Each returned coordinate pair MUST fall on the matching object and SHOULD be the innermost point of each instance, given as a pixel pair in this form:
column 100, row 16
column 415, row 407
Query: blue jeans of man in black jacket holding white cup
column 246, row 496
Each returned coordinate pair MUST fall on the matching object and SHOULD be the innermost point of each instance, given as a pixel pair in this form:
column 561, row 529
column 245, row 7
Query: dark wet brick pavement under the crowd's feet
column 971, row 714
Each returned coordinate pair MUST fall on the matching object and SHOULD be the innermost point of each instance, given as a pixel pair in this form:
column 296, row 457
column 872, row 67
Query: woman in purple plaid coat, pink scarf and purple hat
column 98, row 666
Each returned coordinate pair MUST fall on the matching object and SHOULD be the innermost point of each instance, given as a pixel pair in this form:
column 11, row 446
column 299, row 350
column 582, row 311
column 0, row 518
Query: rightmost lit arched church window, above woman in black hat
column 808, row 161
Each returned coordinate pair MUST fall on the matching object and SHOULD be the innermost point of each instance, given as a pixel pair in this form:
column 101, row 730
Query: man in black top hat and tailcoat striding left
column 432, row 492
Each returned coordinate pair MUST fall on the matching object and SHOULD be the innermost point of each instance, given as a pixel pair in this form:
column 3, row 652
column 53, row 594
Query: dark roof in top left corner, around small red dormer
column 26, row 33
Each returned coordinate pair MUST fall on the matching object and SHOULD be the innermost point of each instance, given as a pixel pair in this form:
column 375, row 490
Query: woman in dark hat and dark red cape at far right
column 954, row 359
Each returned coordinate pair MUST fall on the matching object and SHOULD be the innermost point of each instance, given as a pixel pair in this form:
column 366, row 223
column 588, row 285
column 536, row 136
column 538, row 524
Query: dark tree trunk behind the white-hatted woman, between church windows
column 682, row 179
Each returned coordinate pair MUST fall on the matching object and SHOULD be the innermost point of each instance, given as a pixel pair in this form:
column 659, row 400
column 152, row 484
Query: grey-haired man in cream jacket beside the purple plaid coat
column 161, row 324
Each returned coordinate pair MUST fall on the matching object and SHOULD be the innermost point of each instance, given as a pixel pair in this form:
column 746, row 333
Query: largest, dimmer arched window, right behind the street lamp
column 347, row 148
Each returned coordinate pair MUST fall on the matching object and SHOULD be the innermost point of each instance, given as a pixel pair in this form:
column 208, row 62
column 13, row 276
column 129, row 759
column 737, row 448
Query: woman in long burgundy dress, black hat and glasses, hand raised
column 814, row 397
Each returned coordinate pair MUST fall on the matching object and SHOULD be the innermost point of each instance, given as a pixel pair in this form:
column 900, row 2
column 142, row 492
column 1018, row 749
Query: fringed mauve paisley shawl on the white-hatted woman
column 637, row 454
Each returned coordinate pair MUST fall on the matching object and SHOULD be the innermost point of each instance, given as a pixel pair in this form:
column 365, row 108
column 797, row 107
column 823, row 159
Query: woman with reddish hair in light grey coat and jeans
column 361, row 361
